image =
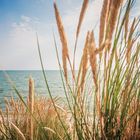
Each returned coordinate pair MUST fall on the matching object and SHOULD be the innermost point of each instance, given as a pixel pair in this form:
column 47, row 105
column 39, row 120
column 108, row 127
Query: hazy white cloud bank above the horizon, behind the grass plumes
column 21, row 42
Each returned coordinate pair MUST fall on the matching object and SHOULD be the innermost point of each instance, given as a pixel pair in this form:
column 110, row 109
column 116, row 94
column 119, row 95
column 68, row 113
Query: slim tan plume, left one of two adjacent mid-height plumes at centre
column 84, row 62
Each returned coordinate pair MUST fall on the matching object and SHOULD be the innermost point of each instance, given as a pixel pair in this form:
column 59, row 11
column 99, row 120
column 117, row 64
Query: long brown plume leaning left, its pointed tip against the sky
column 65, row 54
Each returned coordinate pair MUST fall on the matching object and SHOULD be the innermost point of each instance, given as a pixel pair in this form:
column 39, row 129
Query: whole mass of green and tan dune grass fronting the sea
column 103, row 101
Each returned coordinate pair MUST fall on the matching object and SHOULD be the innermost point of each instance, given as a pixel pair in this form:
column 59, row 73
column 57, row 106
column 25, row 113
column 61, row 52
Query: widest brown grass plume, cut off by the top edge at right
column 115, row 6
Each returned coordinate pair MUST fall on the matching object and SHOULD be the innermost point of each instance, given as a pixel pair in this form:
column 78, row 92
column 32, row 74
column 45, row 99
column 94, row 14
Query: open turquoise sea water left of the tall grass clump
column 20, row 78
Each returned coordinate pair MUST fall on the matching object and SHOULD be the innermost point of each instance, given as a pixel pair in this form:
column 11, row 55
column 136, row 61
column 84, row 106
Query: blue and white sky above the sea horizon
column 21, row 19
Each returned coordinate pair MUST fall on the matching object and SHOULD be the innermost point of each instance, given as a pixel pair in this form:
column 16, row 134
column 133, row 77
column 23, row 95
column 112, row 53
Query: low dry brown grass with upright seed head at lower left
column 16, row 122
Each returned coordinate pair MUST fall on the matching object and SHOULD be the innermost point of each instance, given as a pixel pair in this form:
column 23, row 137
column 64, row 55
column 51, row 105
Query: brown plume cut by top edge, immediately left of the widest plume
column 103, row 21
